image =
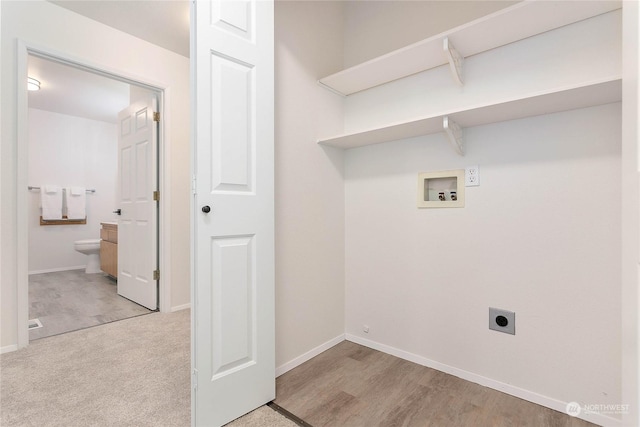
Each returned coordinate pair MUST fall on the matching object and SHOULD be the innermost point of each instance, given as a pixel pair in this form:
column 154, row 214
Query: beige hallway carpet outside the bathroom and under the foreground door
column 129, row 373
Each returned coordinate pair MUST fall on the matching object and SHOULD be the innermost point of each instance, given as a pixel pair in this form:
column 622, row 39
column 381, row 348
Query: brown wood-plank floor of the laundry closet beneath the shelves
column 351, row 386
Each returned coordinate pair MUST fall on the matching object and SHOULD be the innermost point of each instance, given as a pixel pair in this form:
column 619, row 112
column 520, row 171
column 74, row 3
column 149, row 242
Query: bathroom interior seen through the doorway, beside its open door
column 73, row 147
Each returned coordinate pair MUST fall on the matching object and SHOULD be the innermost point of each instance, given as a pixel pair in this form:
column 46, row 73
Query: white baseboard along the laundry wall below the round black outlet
column 530, row 396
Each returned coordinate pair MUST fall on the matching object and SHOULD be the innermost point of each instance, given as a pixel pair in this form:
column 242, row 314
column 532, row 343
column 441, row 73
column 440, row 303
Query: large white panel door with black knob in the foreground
column 233, row 300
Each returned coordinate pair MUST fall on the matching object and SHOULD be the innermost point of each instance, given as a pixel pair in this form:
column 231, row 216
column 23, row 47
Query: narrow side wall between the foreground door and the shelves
column 309, row 182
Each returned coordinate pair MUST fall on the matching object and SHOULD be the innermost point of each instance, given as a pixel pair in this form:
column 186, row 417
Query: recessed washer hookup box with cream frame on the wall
column 443, row 189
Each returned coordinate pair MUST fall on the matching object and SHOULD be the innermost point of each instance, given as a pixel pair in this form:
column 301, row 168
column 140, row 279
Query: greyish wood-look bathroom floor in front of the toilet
column 66, row 301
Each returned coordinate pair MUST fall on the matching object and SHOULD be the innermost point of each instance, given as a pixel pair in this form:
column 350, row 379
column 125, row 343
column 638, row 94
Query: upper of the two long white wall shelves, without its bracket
column 525, row 19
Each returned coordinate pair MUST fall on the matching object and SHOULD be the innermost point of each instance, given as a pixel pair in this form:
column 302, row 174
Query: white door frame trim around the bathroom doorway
column 25, row 49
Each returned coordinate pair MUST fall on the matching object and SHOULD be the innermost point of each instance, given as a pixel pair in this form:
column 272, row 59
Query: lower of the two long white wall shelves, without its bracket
column 552, row 101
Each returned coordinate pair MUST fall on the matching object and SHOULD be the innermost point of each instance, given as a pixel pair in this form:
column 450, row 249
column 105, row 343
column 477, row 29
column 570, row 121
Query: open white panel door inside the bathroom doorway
column 137, row 224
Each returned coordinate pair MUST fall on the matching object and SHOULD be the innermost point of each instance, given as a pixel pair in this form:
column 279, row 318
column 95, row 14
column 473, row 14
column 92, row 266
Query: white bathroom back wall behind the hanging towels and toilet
column 69, row 151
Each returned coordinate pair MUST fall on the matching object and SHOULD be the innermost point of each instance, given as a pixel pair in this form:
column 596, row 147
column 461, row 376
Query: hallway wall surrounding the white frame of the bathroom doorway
column 46, row 25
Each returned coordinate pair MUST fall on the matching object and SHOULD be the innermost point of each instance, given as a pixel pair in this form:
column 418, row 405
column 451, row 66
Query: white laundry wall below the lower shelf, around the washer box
column 540, row 236
